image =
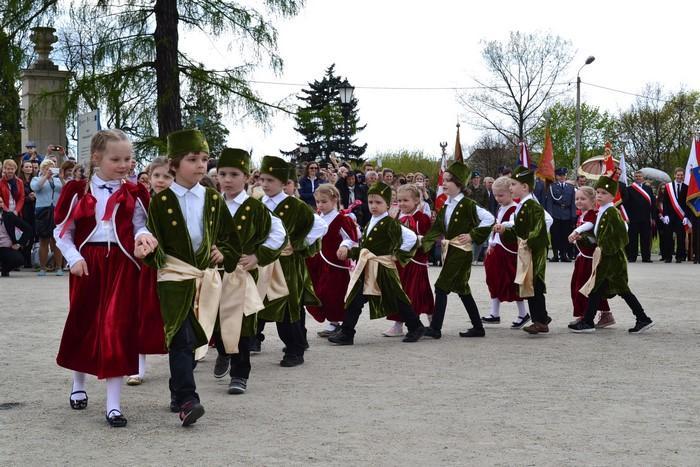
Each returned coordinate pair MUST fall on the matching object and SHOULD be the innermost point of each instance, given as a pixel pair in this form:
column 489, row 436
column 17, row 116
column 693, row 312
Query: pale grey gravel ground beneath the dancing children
column 508, row 399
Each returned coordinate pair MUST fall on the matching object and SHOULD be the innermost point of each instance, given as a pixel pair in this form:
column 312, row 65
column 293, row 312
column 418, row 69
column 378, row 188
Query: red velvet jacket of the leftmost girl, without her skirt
column 78, row 207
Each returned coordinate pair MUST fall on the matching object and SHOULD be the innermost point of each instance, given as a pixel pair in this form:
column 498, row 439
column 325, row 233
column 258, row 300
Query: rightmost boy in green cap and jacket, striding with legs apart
column 609, row 274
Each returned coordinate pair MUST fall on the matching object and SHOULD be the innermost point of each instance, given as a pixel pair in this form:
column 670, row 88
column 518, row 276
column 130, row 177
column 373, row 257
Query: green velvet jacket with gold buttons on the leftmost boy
column 167, row 223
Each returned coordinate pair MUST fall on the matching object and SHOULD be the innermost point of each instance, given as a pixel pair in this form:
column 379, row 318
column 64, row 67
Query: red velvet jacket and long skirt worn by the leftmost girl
column 100, row 336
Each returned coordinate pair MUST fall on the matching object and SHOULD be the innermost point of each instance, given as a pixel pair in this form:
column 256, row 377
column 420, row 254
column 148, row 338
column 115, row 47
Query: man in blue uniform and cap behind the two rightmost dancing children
column 559, row 203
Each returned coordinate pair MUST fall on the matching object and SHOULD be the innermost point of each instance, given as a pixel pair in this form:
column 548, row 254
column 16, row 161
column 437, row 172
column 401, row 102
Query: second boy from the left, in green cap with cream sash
column 261, row 236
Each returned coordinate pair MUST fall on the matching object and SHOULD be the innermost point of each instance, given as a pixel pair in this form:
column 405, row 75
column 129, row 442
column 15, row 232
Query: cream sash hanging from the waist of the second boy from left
column 239, row 298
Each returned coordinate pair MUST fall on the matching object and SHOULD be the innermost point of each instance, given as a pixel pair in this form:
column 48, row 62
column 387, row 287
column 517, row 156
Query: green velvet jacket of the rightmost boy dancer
column 612, row 239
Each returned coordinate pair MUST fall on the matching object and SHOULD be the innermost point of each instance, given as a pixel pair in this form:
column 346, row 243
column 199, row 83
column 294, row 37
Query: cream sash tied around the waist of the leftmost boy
column 207, row 295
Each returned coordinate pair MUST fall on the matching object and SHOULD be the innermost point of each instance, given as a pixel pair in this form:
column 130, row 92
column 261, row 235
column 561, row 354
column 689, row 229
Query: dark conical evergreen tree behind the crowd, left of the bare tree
column 321, row 121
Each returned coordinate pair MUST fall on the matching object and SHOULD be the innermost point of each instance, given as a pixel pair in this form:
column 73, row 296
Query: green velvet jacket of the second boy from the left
column 252, row 226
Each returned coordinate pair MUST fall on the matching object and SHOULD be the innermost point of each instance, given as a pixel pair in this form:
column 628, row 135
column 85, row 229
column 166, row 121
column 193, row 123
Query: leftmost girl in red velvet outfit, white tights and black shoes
column 100, row 221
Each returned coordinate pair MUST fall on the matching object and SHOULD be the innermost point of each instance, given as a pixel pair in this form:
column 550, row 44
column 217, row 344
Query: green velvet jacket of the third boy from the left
column 298, row 219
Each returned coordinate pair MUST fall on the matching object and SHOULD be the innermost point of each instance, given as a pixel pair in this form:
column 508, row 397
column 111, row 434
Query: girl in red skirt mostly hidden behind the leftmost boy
column 151, row 333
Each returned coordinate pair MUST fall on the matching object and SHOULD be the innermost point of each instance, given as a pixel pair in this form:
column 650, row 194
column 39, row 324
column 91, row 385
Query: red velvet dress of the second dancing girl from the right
column 501, row 263
